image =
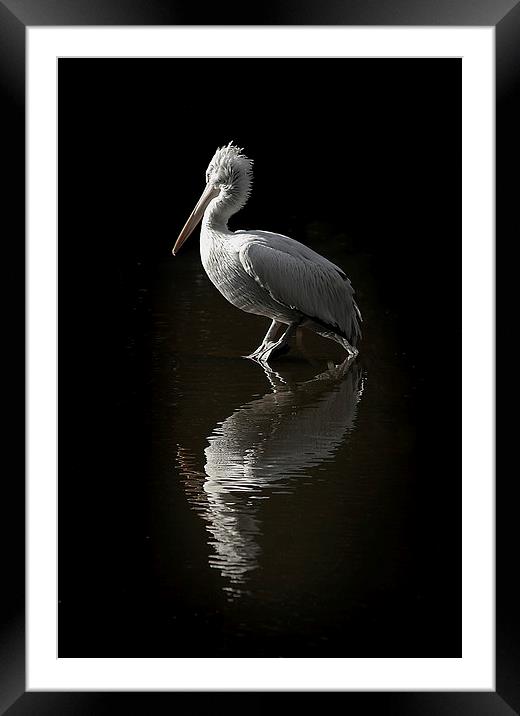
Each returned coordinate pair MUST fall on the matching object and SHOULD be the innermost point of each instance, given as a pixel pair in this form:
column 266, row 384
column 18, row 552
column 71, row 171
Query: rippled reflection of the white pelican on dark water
column 259, row 450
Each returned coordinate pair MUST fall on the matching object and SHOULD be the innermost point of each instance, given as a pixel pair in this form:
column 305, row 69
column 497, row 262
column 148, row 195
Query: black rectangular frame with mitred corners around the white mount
column 14, row 18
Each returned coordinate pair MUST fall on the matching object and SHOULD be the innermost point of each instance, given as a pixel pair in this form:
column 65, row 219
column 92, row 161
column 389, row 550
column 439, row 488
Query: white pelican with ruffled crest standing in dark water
column 268, row 274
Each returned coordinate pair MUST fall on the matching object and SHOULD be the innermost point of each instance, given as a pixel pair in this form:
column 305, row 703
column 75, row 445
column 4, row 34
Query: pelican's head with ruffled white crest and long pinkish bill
column 228, row 185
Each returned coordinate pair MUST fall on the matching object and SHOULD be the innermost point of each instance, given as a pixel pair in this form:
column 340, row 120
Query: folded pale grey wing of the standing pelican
column 301, row 279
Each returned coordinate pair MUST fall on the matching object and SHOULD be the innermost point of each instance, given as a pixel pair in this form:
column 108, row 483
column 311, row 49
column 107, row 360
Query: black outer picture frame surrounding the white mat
column 15, row 15
